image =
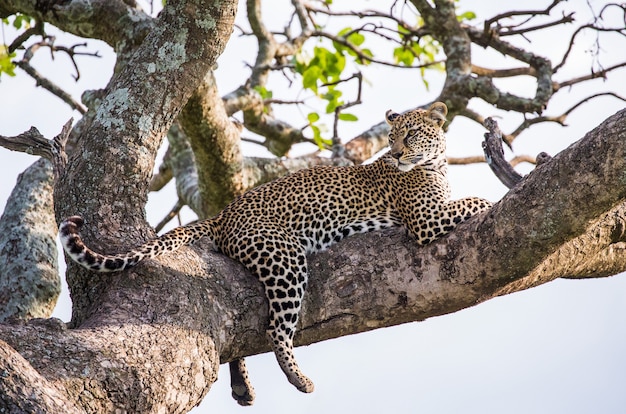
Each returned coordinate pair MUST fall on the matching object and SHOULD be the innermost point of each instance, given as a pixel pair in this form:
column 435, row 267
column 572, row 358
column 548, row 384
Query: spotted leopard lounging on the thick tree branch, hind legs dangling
column 272, row 228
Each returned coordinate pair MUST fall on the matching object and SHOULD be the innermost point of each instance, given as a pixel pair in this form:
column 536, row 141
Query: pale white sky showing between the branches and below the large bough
column 558, row 348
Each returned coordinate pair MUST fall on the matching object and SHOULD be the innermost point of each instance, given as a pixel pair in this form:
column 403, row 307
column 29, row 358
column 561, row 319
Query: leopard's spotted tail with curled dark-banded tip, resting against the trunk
column 171, row 241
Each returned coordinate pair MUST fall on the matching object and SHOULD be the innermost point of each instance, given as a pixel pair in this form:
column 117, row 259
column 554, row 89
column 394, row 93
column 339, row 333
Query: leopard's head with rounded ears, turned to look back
column 416, row 137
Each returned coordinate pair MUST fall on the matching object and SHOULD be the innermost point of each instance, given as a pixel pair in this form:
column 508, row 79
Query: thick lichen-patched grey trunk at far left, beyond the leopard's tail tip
column 28, row 291
